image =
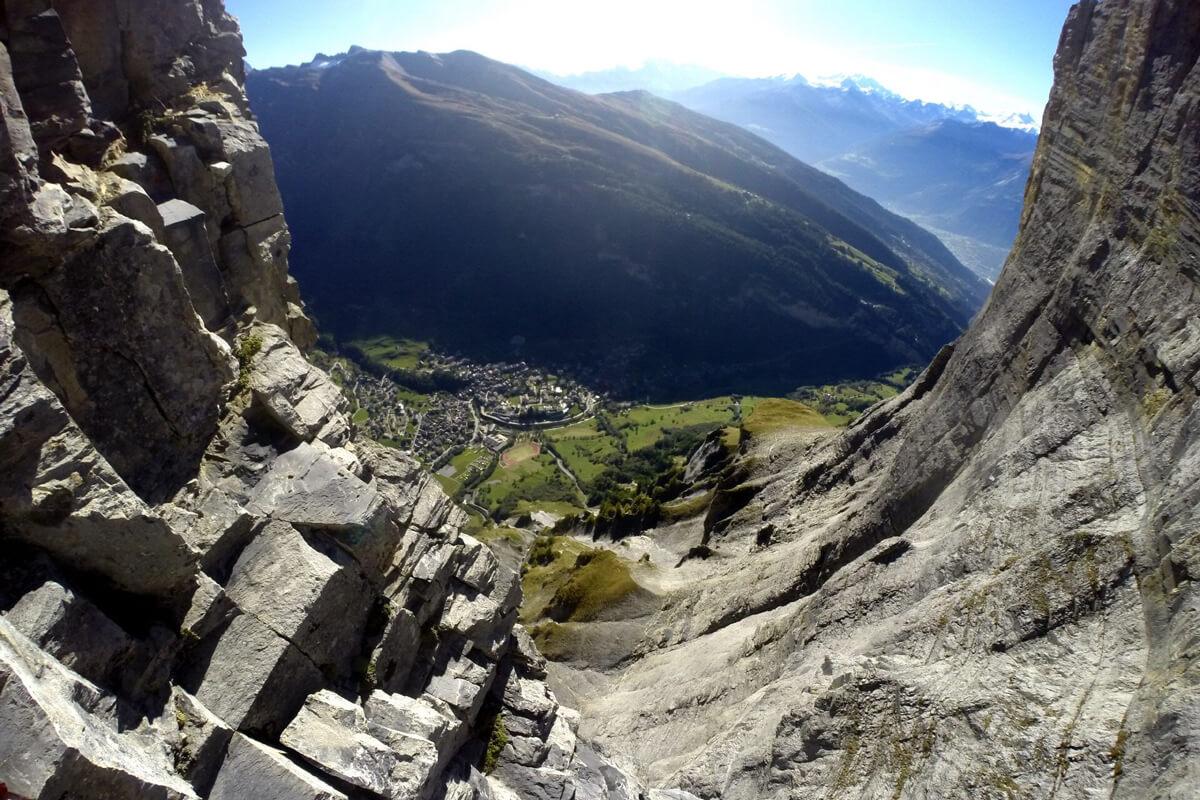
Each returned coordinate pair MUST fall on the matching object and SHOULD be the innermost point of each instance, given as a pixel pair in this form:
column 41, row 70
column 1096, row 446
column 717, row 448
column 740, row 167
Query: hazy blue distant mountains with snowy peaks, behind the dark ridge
column 880, row 143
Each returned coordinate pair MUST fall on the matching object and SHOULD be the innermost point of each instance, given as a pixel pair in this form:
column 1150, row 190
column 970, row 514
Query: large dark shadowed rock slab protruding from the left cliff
column 116, row 335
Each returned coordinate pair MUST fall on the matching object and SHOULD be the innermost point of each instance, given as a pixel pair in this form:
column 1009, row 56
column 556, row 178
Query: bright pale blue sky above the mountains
column 995, row 56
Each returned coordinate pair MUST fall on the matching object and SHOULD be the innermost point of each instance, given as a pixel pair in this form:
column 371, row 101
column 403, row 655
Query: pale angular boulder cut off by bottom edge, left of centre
column 253, row 771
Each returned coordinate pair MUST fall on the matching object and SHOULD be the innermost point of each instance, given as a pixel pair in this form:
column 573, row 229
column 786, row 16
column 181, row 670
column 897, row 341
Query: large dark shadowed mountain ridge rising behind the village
column 645, row 246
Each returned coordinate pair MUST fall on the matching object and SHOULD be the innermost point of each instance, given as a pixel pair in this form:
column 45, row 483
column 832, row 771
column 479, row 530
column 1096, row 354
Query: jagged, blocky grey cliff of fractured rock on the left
column 207, row 588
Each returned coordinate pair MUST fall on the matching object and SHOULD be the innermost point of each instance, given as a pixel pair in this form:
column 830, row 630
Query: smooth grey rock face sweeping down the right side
column 986, row 588
